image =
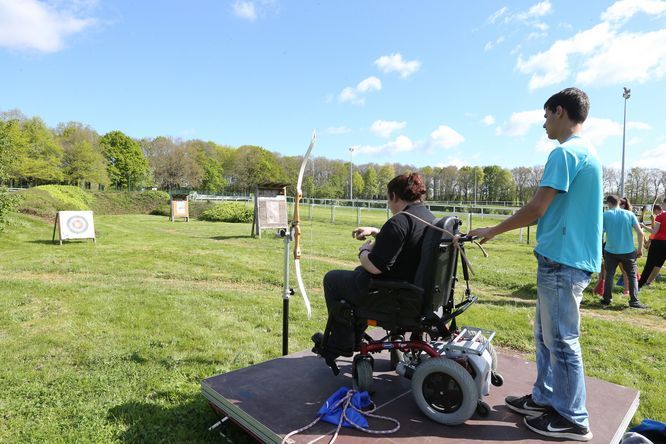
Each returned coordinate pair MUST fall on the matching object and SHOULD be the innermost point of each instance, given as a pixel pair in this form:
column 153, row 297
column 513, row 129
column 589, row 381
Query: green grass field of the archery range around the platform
column 108, row 342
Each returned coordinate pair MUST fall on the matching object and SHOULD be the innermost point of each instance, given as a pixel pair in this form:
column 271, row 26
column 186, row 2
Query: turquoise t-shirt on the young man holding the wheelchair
column 570, row 232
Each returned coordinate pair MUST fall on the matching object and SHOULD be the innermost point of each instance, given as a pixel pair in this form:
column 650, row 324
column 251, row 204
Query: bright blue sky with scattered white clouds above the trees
column 428, row 83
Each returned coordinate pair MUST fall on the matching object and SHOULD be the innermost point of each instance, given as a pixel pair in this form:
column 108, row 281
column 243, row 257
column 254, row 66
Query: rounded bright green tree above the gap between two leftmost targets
column 126, row 164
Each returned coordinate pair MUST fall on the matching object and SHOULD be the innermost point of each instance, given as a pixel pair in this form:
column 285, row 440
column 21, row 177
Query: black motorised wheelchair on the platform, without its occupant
column 450, row 369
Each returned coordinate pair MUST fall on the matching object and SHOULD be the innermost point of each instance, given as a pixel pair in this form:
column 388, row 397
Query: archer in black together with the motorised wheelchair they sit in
column 405, row 285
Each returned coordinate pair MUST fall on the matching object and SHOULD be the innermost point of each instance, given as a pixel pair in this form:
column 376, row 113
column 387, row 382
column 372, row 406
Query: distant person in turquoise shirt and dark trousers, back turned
column 619, row 249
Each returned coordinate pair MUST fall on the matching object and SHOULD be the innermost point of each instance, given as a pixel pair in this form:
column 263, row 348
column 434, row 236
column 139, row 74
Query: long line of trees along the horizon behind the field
column 73, row 153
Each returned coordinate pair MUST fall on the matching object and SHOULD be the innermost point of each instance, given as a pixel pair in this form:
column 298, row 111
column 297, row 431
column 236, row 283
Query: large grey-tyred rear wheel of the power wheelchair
column 444, row 391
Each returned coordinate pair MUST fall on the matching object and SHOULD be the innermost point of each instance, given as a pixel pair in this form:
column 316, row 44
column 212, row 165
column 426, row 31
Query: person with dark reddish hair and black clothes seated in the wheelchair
column 394, row 254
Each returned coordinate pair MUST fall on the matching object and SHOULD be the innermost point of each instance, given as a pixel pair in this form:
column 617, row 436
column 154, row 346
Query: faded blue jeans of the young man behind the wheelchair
column 560, row 379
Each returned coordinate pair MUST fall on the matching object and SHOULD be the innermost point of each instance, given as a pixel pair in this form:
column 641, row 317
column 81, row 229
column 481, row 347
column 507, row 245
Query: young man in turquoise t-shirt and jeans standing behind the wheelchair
column 568, row 207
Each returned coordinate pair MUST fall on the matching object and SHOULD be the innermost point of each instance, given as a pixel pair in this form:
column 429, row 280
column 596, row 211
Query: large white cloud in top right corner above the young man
column 603, row 54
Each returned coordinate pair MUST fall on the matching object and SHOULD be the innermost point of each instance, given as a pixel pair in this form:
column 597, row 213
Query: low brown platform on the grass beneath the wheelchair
column 273, row 398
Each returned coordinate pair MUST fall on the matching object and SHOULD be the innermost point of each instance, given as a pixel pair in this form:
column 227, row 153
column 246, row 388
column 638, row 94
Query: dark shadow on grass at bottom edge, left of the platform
column 187, row 421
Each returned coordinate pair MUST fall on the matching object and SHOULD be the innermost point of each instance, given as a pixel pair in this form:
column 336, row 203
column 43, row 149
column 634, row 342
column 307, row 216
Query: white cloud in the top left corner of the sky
column 32, row 25
